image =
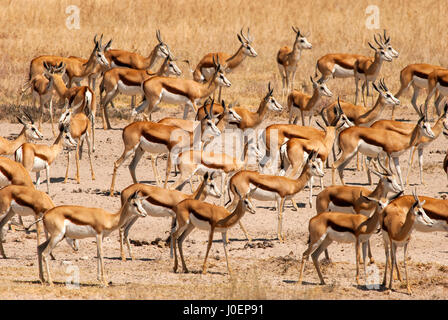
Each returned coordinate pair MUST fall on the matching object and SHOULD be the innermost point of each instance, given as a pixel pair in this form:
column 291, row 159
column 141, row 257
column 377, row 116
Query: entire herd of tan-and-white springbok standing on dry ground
column 294, row 155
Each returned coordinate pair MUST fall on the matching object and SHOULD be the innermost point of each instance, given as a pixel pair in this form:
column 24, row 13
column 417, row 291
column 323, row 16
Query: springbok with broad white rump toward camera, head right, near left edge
column 36, row 157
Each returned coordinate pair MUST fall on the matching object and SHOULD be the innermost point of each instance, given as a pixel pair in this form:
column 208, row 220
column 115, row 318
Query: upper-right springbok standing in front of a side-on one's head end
column 367, row 69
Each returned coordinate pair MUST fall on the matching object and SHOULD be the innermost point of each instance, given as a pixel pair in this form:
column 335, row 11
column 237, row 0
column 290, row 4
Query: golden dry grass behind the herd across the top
column 193, row 28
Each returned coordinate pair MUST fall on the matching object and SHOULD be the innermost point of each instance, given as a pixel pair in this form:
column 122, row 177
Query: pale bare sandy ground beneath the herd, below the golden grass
column 265, row 269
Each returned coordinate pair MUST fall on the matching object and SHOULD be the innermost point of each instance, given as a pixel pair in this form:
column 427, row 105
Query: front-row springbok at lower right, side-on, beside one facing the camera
column 327, row 227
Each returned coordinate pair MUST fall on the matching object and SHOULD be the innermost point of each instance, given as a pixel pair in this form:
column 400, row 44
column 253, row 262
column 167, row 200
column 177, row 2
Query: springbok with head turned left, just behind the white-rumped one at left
column 79, row 126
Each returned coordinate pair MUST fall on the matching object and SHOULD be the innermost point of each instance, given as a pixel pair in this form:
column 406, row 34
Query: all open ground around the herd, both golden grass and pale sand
column 265, row 269
